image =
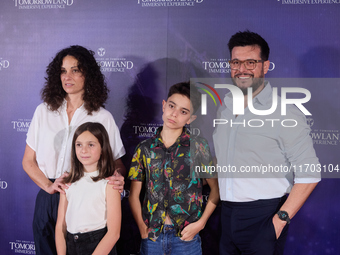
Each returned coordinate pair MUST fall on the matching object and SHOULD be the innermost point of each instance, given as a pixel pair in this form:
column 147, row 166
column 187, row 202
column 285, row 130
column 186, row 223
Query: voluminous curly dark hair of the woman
column 95, row 88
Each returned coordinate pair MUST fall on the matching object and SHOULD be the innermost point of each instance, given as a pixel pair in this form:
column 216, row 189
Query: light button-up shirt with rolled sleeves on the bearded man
column 252, row 146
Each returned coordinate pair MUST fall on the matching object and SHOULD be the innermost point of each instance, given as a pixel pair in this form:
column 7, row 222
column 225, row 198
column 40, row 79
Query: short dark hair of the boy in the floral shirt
column 191, row 92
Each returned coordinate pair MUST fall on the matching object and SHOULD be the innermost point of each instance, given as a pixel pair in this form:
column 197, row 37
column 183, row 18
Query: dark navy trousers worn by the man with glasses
column 247, row 228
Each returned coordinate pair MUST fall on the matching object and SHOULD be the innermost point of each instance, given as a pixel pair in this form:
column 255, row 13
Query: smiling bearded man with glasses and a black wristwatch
column 255, row 209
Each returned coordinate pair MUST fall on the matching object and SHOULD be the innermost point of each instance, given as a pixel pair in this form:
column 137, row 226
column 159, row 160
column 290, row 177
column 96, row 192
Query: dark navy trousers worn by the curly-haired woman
column 44, row 221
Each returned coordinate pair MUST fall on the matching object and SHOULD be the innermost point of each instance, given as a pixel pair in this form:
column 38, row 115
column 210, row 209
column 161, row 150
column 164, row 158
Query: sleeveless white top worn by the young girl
column 86, row 209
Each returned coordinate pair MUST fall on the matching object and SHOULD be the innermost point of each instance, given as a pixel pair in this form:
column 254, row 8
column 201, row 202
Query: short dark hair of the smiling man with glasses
column 248, row 38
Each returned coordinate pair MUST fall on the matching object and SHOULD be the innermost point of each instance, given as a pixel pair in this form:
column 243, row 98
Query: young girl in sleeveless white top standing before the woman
column 89, row 215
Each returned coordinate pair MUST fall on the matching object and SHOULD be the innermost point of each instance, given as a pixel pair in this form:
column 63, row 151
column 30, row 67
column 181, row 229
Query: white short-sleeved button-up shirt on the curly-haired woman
column 50, row 136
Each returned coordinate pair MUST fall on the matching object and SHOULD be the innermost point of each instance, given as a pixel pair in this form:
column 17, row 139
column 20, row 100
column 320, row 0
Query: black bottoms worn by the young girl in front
column 85, row 243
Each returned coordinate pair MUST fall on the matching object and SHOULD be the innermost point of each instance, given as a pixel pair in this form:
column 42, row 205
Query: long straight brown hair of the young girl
column 106, row 165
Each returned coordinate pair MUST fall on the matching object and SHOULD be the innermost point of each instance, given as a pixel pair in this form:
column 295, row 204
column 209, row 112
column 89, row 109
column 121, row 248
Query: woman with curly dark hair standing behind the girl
column 74, row 93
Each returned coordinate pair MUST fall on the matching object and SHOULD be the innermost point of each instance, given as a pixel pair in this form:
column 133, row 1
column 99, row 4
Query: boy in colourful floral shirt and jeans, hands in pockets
column 171, row 215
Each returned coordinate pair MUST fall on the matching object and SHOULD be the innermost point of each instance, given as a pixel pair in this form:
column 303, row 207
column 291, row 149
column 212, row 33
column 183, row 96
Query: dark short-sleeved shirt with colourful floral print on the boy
column 172, row 187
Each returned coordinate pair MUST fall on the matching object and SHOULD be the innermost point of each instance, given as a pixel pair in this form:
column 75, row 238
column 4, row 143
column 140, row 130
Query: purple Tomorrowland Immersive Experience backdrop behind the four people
column 145, row 46
